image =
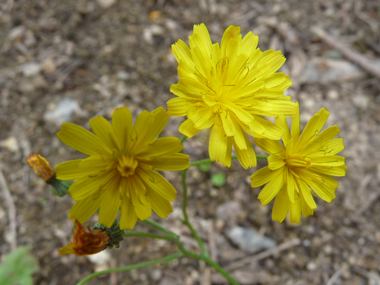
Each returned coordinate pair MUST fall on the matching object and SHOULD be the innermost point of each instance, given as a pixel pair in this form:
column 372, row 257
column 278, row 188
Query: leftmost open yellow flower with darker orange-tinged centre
column 119, row 172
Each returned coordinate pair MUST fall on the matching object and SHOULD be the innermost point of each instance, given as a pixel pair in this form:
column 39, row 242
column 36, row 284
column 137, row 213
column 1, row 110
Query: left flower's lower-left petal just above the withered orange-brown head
column 84, row 209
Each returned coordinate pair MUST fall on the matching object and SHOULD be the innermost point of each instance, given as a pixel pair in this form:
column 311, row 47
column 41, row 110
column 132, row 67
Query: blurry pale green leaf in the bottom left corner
column 18, row 267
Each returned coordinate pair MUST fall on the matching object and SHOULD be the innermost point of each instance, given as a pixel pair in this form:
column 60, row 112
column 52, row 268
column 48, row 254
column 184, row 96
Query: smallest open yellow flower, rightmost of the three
column 300, row 167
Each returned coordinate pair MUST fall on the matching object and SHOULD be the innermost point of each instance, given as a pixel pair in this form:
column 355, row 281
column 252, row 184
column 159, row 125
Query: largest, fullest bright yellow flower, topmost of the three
column 227, row 88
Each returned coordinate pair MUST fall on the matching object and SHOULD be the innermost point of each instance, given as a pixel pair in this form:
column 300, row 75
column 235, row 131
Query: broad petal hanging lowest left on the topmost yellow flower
column 218, row 143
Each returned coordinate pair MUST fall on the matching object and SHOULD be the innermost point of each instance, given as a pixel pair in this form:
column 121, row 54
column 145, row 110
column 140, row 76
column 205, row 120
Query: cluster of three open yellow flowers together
column 227, row 88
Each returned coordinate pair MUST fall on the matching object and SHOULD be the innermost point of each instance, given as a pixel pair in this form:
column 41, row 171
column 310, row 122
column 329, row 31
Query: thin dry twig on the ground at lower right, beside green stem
column 252, row 259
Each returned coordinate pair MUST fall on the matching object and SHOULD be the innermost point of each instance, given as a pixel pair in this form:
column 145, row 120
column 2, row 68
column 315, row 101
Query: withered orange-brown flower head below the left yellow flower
column 86, row 242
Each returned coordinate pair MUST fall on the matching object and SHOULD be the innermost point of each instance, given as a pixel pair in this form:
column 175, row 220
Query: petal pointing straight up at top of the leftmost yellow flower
column 122, row 124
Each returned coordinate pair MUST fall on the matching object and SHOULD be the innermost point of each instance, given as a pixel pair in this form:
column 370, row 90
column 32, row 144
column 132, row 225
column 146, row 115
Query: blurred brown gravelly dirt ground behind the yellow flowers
column 105, row 57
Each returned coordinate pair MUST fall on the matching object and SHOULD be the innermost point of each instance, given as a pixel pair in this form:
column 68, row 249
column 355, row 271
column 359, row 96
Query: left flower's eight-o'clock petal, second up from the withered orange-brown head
column 88, row 185
